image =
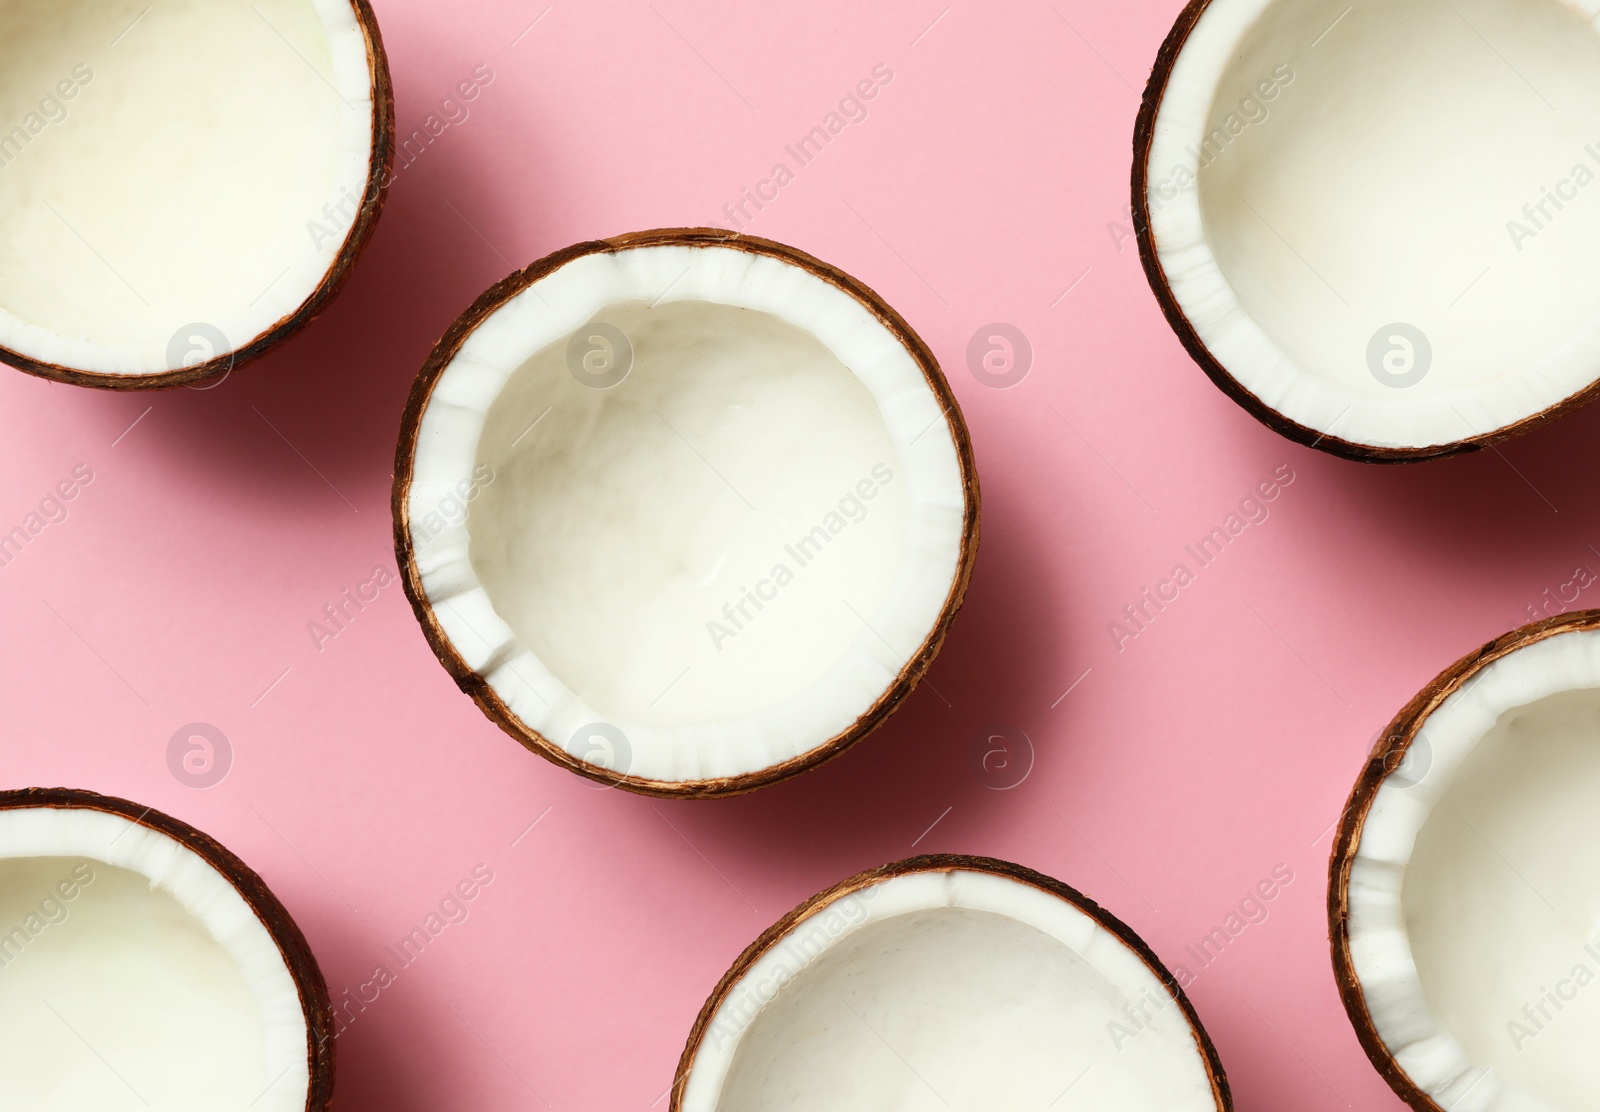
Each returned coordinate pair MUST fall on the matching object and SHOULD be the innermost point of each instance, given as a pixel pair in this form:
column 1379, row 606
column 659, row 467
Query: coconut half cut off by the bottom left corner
column 146, row 967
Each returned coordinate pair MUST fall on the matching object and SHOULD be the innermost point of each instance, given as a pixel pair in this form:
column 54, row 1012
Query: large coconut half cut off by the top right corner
column 1370, row 222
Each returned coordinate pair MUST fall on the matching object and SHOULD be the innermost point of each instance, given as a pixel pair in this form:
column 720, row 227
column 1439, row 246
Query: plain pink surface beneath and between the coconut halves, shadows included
column 990, row 178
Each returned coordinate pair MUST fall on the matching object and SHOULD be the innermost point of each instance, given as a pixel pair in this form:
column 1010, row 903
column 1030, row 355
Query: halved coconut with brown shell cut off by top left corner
column 183, row 185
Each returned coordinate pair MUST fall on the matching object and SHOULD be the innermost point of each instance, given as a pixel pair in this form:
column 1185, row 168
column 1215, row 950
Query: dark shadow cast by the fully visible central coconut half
column 874, row 802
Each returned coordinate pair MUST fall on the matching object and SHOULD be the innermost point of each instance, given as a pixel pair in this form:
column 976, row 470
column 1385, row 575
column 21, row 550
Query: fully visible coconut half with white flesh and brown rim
column 684, row 511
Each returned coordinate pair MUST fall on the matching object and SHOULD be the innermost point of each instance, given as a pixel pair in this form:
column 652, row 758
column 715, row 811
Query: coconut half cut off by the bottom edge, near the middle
column 950, row 983
